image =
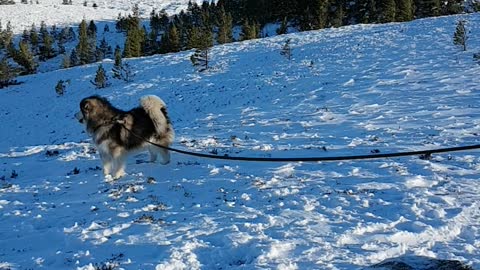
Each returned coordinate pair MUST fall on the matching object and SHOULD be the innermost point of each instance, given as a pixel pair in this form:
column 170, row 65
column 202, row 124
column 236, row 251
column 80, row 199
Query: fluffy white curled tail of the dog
column 157, row 110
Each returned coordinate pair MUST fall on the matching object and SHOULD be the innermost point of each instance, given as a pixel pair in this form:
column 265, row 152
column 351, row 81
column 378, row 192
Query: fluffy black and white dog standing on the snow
column 104, row 123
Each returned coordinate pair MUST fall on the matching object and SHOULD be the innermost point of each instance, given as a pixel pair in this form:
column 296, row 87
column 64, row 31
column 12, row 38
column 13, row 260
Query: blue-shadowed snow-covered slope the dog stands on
column 347, row 91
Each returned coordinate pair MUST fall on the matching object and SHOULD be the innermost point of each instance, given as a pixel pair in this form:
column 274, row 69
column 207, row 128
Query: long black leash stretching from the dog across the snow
column 425, row 153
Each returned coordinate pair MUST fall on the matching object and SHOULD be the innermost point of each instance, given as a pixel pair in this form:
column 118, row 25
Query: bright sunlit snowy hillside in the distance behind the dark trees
column 53, row 12
